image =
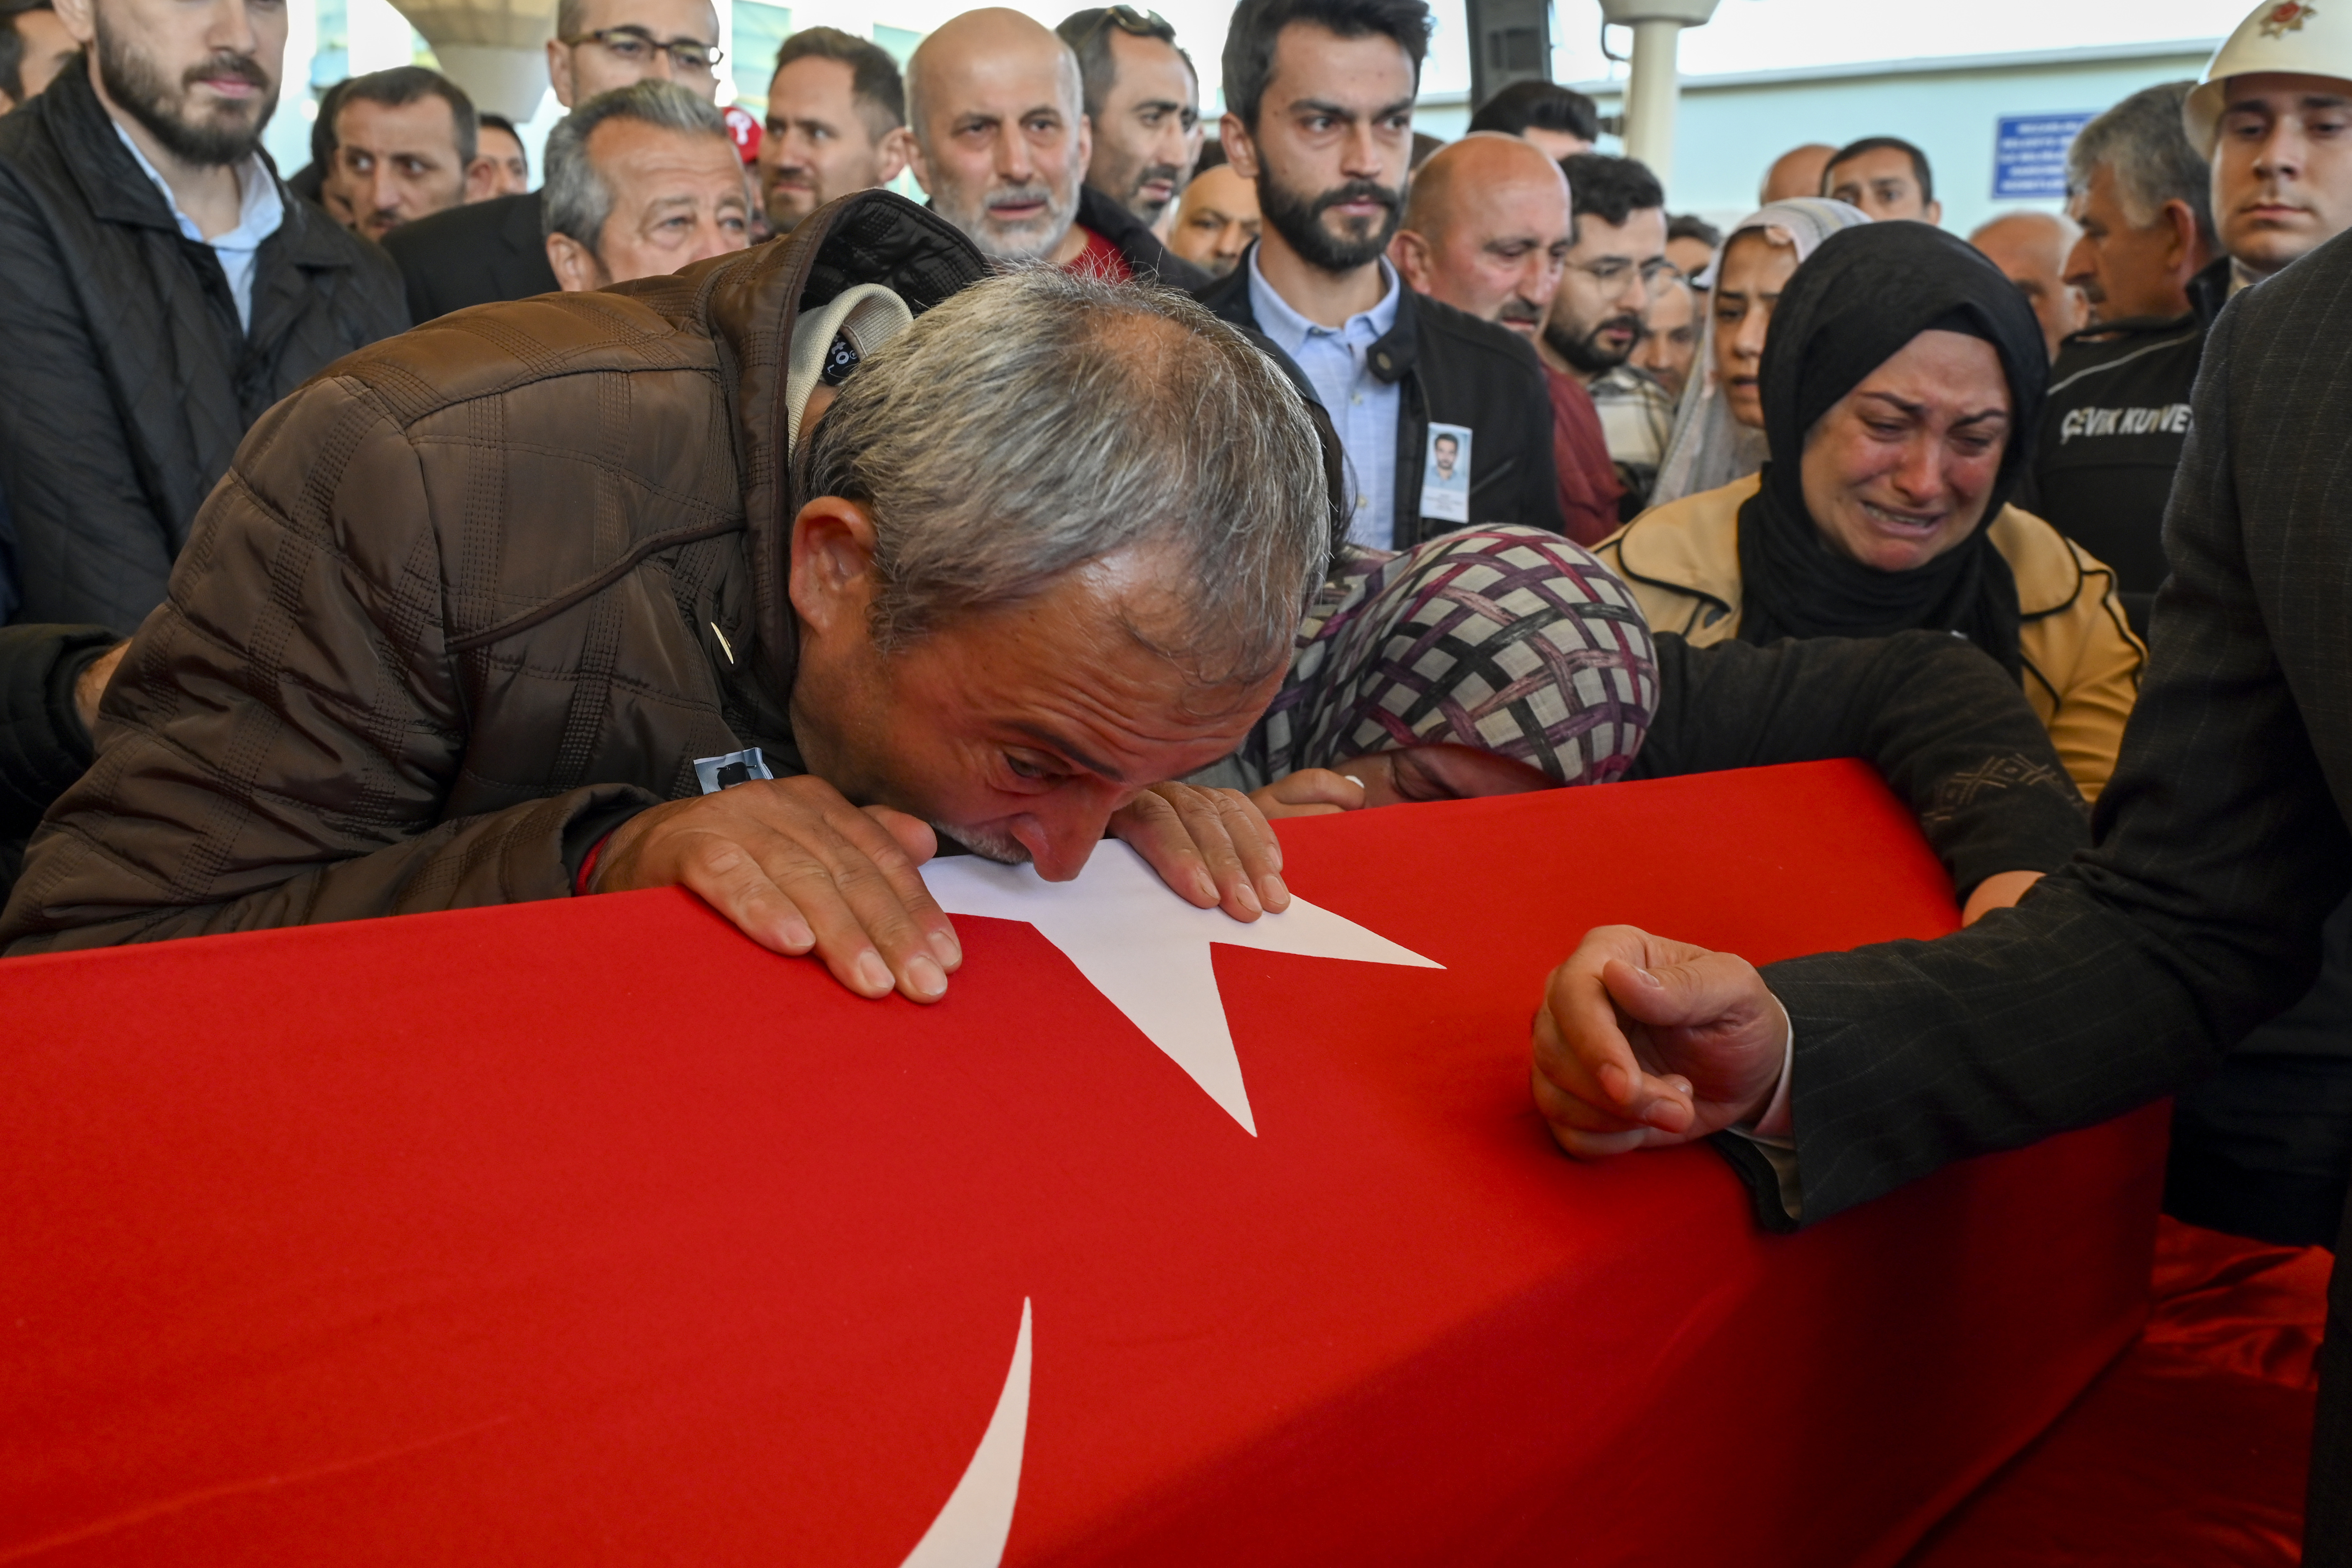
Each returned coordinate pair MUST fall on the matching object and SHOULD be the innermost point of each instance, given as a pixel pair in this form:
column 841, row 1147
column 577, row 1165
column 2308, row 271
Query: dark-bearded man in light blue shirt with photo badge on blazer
column 1321, row 119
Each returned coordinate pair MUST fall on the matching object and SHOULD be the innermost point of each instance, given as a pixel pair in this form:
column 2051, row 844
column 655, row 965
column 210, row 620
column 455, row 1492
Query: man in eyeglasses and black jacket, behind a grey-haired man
column 497, row 248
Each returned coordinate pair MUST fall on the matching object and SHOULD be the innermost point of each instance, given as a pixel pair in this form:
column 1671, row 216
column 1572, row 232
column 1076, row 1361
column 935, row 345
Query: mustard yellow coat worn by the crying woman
column 2083, row 664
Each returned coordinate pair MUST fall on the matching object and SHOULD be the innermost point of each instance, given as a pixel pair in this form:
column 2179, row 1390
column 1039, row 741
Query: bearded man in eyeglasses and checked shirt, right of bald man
column 1596, row 321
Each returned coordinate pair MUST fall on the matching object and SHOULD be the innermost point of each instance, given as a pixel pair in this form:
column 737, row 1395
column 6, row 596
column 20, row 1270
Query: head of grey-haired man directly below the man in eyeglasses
column 641, row 182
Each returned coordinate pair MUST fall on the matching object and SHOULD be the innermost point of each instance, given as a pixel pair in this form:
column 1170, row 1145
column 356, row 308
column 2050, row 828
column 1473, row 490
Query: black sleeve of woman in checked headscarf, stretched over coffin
column 1949, row 732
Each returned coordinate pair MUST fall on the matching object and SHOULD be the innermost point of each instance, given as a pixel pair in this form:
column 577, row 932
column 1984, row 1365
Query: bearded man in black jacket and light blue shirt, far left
column 161, row 293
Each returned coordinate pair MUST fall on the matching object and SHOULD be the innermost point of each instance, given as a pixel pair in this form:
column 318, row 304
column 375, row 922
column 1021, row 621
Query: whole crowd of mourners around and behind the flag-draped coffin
column 399, row 535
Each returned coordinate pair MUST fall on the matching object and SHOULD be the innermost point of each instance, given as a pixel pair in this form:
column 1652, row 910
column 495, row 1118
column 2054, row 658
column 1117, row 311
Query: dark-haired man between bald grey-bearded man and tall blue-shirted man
column 1144, row 112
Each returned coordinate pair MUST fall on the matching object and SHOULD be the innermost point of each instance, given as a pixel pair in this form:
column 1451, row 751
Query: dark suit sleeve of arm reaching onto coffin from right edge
column 2219, row 843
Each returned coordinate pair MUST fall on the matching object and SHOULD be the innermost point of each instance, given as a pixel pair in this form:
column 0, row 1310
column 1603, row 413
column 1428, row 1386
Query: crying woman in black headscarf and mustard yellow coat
column 1902, row 387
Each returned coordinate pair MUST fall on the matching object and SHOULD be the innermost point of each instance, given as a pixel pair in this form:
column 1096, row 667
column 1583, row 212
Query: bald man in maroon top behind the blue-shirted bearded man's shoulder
column 1488, row 229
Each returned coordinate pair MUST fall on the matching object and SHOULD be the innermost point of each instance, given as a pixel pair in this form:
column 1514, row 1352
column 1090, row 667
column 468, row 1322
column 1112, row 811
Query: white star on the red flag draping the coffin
column 1149, row 951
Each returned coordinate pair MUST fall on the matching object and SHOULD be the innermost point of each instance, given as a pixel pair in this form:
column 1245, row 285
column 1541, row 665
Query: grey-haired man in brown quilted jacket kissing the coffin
column 490, row 610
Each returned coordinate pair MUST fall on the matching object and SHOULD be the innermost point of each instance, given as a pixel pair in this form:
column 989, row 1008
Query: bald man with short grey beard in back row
column 1001, row 145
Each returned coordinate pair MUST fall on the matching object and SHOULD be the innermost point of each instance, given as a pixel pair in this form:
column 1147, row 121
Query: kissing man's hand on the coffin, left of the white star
column 799, row 869
